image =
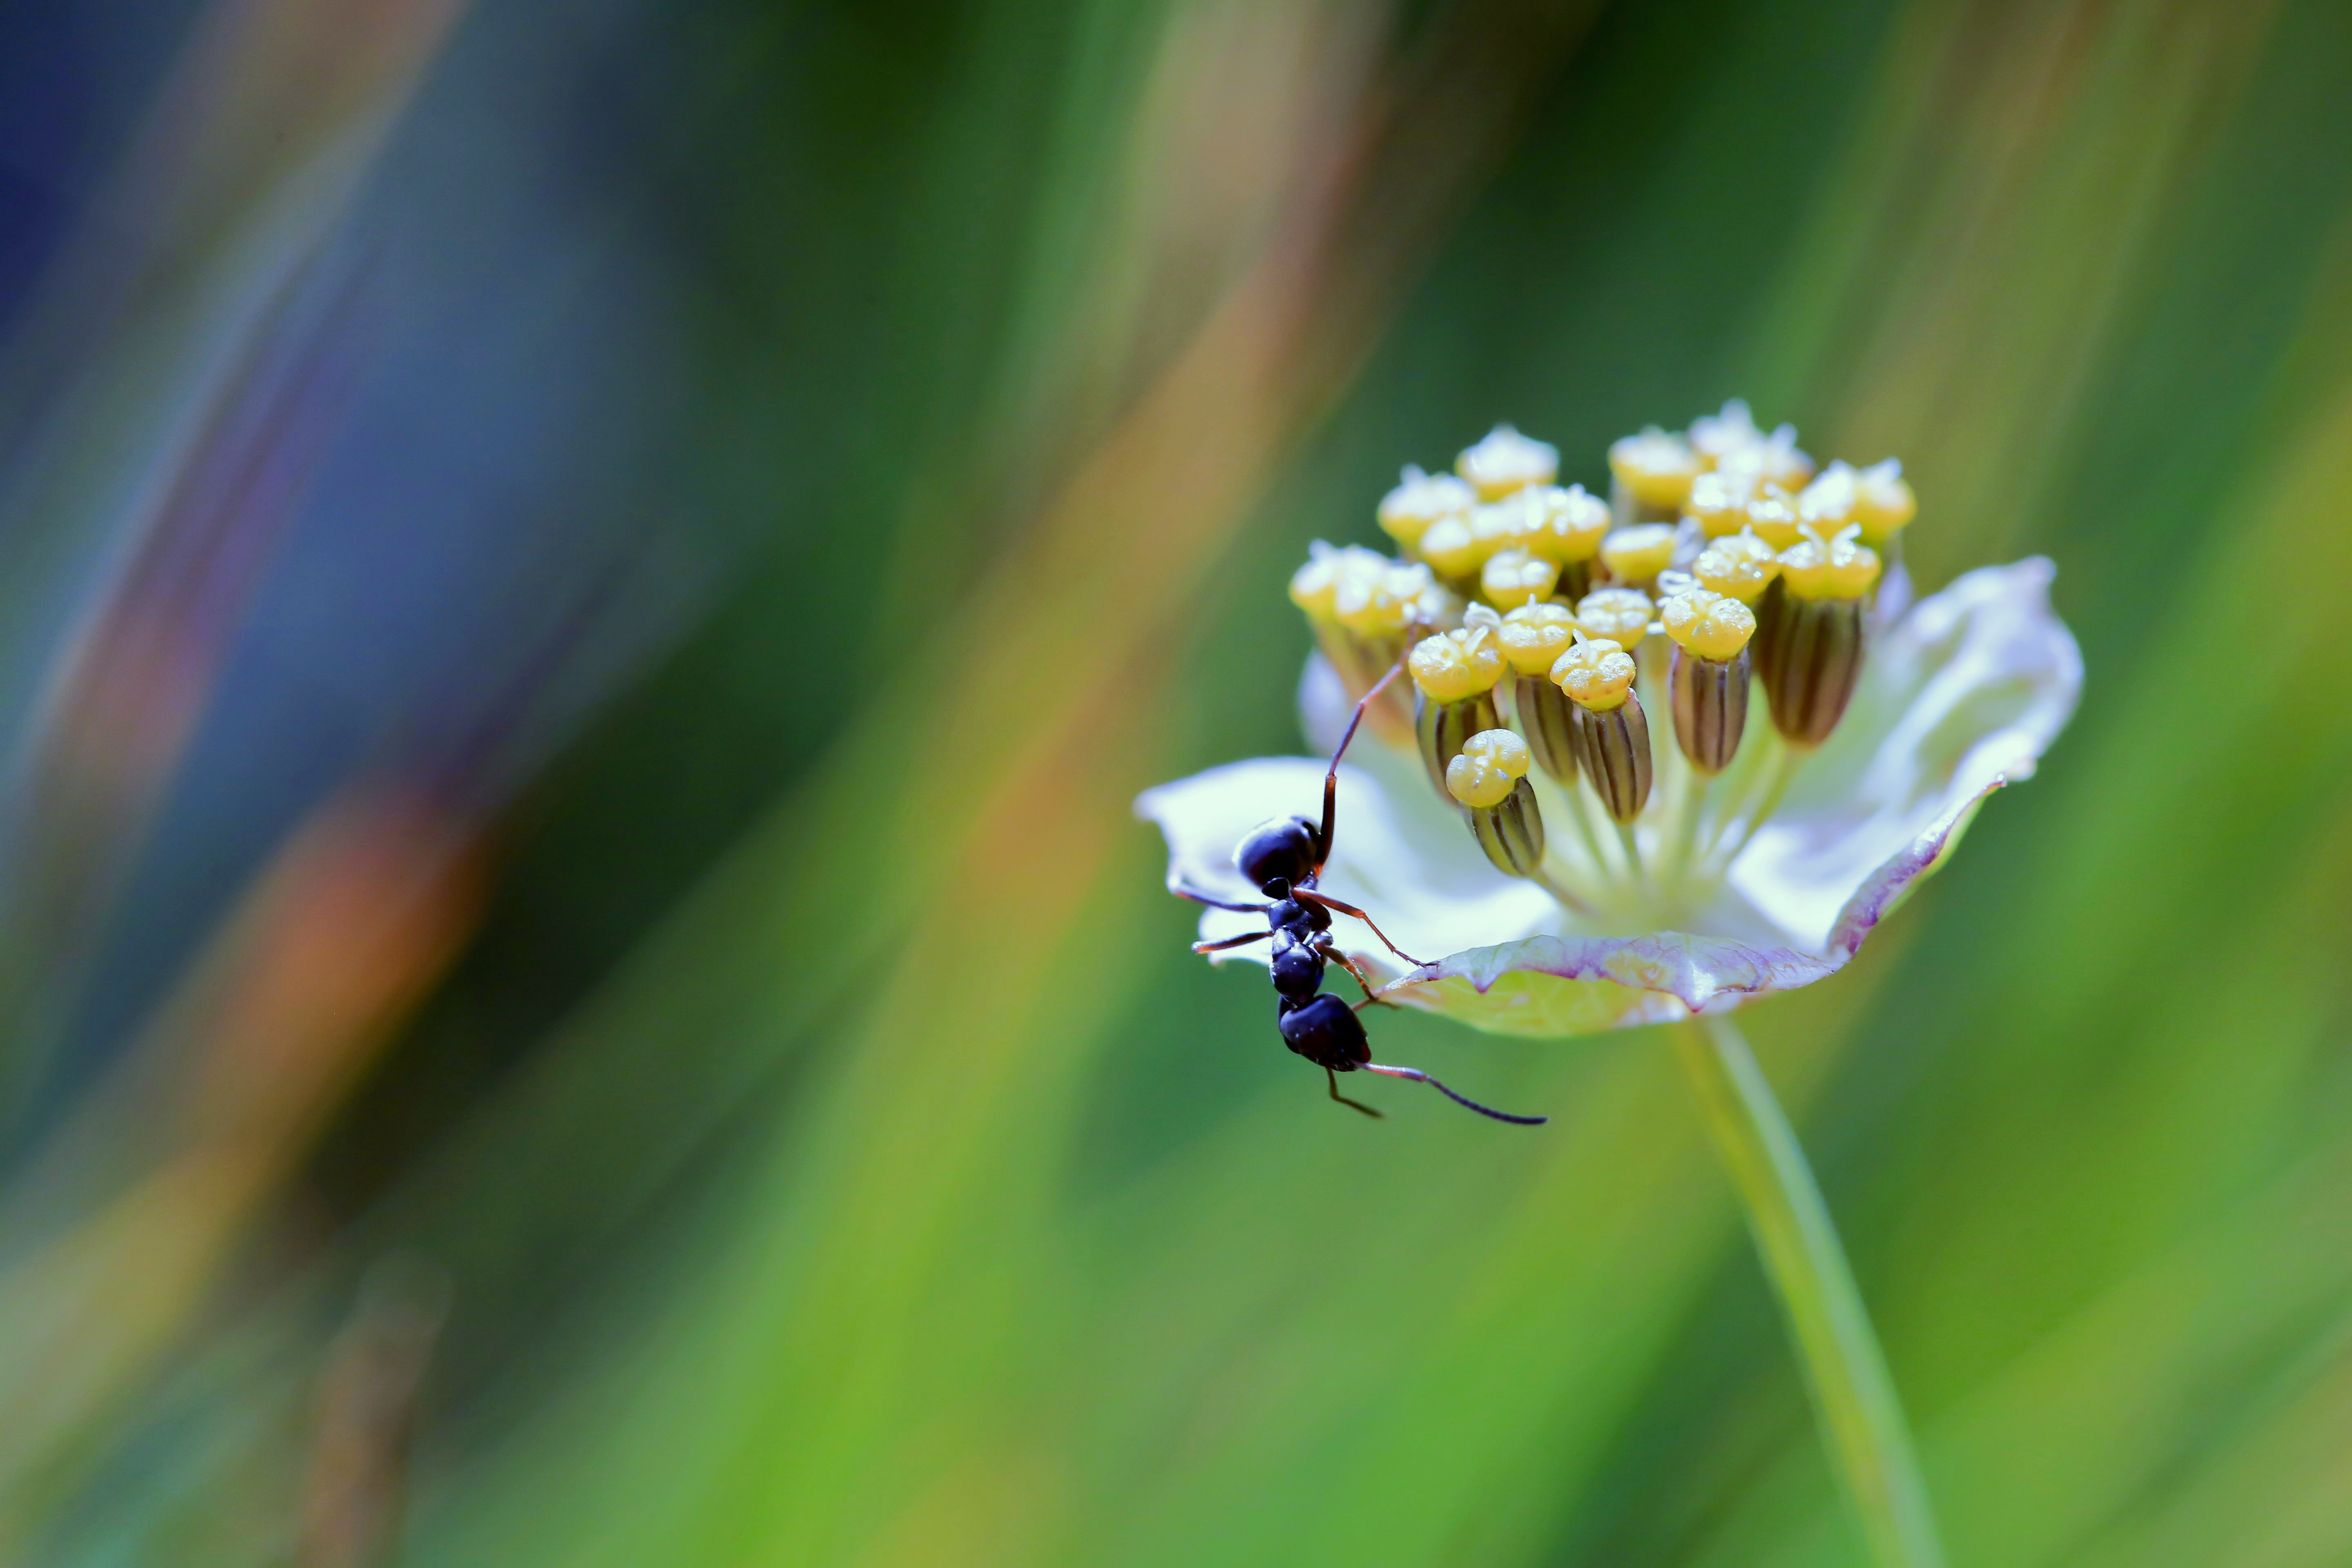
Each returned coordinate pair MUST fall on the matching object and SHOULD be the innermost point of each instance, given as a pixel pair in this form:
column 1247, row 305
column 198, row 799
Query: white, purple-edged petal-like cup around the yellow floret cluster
column 1753, row 883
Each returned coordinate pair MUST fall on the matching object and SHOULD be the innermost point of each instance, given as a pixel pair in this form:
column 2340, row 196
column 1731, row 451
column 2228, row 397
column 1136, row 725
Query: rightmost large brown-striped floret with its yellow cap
column 1810, row 636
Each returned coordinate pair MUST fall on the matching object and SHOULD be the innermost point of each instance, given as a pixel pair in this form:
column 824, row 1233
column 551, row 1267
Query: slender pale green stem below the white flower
column 1843, row 1365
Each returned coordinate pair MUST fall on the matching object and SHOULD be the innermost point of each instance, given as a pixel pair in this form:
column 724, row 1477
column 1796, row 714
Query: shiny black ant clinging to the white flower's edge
column 1283, row 859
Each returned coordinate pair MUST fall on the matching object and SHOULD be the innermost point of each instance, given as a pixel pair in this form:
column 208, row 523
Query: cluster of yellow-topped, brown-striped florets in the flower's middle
column 1551, row 638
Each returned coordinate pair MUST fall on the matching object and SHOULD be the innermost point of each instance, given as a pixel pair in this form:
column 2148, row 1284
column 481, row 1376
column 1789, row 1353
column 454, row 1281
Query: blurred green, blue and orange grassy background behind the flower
column 589, row 587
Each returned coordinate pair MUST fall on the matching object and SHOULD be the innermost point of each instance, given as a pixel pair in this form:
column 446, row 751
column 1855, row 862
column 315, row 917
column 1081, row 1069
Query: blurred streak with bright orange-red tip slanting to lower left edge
column 171, row 1165
